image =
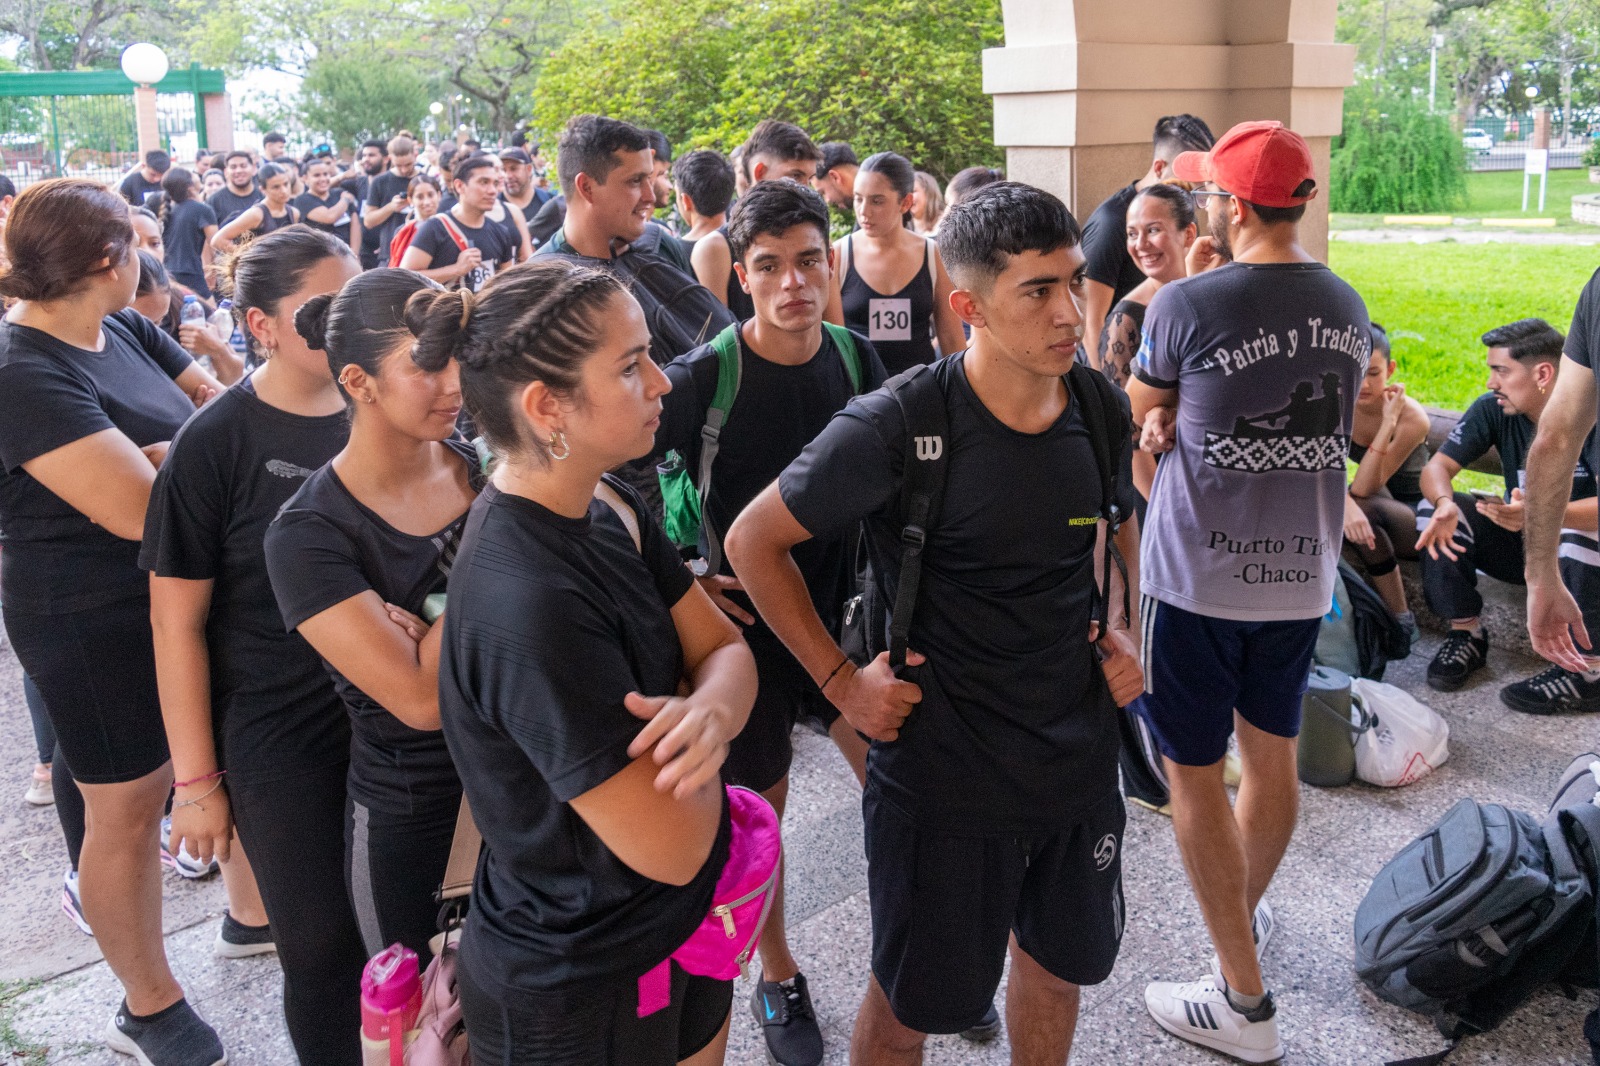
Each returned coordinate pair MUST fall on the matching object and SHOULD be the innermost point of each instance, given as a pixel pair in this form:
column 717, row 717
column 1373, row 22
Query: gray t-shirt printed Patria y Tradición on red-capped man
column 1247, row 511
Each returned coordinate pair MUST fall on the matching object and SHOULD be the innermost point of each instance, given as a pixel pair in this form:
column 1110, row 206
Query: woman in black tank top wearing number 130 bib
column 890, row 284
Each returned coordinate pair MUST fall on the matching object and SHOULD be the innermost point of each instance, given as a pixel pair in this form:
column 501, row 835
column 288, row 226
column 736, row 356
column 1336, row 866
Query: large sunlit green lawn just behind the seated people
column 1438, row 300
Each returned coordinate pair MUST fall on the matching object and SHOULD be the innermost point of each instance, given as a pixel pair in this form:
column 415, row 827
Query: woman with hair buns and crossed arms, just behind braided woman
column 356, row 556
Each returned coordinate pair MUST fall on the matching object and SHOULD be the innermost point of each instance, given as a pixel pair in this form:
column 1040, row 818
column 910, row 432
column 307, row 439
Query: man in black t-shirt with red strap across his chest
column 463, row 247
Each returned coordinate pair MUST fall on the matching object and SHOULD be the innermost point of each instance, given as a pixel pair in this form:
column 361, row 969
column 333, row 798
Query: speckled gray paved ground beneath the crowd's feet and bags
column 1329, row 1019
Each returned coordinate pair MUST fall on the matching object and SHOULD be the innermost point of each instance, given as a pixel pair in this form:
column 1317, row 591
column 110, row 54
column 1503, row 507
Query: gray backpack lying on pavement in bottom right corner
column 1481, row 912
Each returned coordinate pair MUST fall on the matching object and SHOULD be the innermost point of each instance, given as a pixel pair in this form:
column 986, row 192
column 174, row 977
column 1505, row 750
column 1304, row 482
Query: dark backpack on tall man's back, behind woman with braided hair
column 682, row 315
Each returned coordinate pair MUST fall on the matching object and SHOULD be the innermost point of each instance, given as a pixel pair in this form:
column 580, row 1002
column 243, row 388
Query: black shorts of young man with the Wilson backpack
column 945, row 907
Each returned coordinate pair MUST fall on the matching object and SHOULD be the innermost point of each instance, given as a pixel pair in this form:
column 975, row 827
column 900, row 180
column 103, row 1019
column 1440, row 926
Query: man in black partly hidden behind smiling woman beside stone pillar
column 1113, row 271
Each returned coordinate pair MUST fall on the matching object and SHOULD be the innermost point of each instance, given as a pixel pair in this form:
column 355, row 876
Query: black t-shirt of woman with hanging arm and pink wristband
column 234, row 465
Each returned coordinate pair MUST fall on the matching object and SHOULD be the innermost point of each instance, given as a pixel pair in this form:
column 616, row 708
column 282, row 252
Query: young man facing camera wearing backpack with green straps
column 793, row 382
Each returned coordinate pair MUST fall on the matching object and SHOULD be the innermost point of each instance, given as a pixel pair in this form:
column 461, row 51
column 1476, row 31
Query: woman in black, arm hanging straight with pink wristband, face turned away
column 260, row 739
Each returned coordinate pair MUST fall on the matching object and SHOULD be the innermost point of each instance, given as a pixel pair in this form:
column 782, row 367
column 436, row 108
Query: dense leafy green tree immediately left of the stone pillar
column 882, row 74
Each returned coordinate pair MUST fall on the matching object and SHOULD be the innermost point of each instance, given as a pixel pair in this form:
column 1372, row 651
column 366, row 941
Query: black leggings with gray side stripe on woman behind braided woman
column 394, row 865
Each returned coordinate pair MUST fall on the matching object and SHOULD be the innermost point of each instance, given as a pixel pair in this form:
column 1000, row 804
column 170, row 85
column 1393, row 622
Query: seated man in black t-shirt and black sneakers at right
column 1463, row 534
